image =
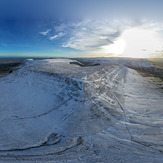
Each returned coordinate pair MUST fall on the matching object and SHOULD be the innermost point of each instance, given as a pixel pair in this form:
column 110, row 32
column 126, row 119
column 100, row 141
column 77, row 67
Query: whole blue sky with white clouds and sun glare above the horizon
column 81, row 28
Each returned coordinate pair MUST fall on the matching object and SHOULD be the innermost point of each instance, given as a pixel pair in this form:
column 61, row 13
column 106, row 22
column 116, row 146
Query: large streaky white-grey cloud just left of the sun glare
column 90, row 36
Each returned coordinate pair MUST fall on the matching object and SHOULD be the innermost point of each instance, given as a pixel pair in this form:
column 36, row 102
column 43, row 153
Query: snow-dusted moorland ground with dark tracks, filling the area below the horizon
column 57, row 111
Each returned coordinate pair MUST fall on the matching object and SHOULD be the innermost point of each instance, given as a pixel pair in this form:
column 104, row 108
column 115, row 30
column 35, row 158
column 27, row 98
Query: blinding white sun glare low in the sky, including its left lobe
column 136, row 43
